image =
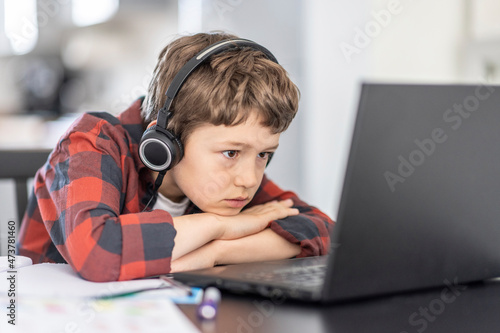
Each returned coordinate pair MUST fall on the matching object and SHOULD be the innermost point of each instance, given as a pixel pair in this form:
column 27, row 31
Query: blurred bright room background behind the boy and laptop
column 59, row 58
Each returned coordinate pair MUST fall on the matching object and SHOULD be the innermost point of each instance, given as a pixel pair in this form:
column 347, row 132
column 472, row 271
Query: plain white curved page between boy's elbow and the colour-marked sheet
column 59, row 280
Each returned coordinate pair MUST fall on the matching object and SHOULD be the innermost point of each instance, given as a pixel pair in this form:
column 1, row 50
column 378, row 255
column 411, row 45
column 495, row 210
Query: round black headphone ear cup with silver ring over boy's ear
column 159, row 149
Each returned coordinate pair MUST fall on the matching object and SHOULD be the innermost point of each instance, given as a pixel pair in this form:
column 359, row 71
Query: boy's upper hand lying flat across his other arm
column 255, row 219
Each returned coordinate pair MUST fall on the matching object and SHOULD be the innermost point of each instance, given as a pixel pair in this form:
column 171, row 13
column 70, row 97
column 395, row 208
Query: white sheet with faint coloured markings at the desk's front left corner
column 124, row 315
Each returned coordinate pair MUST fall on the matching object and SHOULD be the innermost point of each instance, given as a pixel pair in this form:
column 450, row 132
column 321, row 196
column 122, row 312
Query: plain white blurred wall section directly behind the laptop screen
column 349, row 42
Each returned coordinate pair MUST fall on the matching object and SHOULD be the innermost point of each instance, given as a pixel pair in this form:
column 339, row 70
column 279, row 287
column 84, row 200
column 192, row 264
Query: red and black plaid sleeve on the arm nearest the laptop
column 310, row 229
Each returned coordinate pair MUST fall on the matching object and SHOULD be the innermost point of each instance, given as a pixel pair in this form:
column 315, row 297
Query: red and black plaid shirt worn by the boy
column 87, row 203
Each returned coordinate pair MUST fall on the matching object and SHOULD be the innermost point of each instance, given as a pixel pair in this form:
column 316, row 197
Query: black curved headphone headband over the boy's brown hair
column 195, row 62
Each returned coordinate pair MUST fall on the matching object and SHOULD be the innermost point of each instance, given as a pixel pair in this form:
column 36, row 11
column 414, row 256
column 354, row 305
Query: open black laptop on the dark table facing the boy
column 420, row 205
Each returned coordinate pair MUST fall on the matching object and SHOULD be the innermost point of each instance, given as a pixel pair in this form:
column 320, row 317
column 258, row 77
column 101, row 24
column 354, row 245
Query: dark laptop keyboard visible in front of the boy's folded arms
column 308, row 276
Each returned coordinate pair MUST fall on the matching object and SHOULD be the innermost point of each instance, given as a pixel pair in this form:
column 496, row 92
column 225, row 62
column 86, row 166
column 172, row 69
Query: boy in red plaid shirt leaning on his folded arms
column 97, row 206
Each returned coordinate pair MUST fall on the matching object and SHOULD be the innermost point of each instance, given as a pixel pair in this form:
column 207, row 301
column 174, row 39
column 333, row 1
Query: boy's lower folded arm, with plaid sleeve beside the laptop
column 306, row 232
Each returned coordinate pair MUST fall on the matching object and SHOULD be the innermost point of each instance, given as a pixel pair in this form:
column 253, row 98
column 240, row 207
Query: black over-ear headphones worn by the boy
column 159, row 149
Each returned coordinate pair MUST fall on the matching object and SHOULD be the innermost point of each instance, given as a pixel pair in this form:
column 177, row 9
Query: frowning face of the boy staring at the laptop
column 222, row 166
